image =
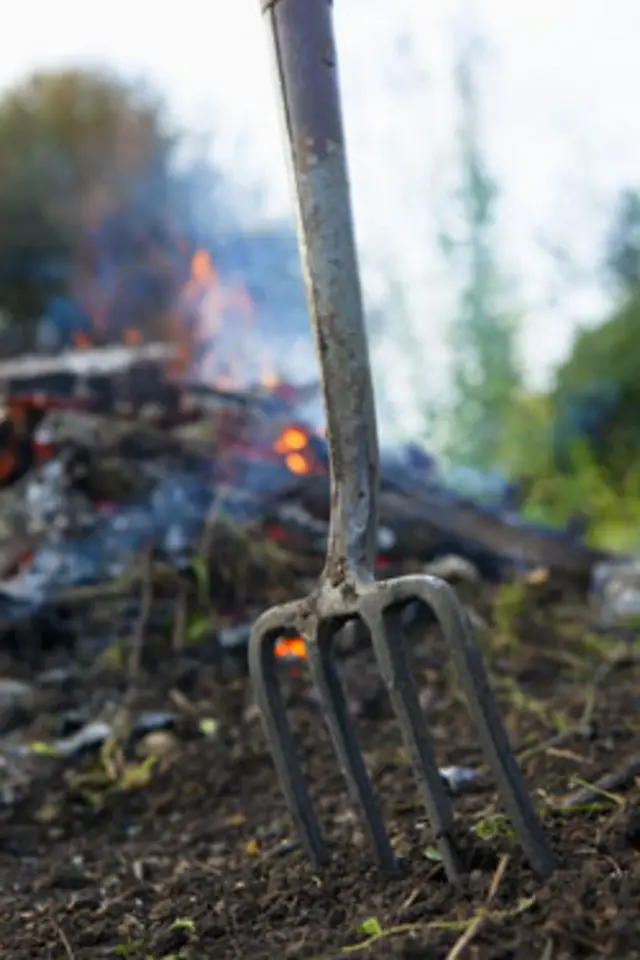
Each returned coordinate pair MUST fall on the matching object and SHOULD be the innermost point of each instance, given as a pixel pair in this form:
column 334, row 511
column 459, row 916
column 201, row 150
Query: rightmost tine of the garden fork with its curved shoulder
column 441, row 599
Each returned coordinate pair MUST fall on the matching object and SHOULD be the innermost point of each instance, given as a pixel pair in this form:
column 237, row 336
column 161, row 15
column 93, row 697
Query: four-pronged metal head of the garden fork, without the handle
column 319, row 618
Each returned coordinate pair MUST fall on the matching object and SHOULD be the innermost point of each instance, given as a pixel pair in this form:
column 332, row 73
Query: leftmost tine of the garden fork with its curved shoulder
column 262, row 664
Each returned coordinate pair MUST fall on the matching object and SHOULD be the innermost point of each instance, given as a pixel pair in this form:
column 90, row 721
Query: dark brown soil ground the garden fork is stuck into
column 196, row 859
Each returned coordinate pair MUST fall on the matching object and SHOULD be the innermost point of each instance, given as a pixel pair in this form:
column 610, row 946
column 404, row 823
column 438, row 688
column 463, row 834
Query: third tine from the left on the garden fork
column 391, row 653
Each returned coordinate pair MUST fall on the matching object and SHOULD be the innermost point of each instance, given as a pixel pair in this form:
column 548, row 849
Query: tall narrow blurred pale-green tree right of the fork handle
column 486, row 373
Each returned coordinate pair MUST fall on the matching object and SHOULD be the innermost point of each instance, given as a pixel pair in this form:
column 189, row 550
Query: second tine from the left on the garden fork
column 341, row 727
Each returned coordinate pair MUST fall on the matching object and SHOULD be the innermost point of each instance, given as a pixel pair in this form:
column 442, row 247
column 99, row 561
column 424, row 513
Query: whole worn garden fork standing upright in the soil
column 301, row 34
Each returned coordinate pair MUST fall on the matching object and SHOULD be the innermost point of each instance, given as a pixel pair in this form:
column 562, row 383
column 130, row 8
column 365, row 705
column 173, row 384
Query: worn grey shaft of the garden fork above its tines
column 302, row 40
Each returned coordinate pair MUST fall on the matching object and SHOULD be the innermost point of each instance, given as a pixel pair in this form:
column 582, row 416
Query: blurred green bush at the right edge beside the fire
column 577, row 448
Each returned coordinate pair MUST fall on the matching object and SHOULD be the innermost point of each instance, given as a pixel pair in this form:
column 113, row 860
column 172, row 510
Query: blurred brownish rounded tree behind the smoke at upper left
column 88, row 195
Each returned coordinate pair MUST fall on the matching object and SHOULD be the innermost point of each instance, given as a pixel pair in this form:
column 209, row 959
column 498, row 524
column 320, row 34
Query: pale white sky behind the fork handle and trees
column 558, row 93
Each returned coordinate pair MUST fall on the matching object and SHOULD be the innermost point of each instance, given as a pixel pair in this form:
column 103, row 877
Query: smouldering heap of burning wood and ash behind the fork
column 109, row 455
